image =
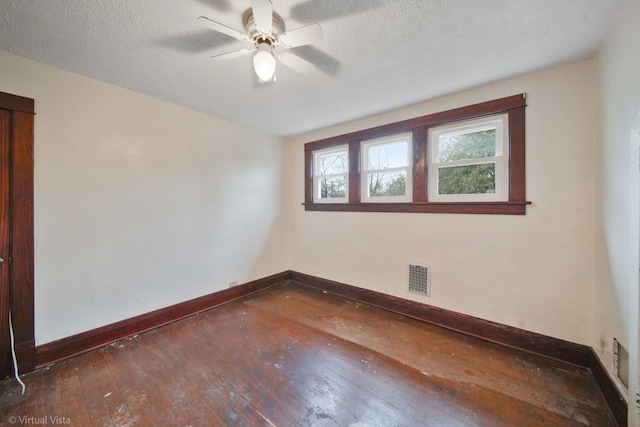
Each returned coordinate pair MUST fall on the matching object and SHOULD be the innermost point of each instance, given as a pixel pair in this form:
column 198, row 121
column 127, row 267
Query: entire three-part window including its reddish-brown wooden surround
column 467, row 160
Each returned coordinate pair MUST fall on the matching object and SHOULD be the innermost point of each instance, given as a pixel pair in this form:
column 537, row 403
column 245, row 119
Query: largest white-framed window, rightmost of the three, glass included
column 469, row 161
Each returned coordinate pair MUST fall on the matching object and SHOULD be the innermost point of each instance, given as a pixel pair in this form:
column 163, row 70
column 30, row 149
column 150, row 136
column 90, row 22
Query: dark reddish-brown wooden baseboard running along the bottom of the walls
column 565, row 351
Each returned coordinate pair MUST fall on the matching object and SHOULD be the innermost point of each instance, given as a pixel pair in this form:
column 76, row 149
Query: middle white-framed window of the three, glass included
column 386, row 172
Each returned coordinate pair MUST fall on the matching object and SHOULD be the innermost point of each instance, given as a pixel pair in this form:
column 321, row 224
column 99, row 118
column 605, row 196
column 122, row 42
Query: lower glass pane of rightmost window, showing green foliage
column 469, row 179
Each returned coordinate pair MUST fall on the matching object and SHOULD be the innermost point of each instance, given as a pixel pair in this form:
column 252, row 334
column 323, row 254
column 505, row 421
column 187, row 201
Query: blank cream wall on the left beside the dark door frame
column 140, row 204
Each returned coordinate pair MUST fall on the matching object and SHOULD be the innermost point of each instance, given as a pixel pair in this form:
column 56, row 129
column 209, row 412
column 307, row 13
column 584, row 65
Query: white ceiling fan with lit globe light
column 265, row 30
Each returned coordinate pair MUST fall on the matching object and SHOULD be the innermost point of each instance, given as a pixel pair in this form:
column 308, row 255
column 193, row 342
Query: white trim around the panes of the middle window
column 364, row 173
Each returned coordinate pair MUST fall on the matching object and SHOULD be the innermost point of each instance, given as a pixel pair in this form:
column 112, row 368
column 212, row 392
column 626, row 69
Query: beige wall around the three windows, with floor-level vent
column 534, row 272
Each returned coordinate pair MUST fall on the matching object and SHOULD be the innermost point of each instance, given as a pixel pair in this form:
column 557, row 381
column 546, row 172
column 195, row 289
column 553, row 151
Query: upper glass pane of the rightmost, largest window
column 471, row 145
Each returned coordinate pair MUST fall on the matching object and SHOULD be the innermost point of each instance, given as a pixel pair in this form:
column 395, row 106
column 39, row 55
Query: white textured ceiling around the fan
column 376, row 55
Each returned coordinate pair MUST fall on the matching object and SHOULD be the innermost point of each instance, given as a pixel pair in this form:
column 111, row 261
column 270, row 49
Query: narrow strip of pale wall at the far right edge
column 617, row 209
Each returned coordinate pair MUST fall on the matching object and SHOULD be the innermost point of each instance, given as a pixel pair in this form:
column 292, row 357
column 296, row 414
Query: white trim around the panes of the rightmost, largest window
column 501, row 160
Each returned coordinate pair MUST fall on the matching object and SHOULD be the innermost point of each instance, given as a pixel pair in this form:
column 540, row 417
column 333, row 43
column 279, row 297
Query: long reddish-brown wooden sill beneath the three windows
column 491, row 208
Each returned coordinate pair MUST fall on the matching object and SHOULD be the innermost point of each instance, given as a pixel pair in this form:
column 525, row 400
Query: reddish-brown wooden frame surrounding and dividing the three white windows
column 513, row 106
